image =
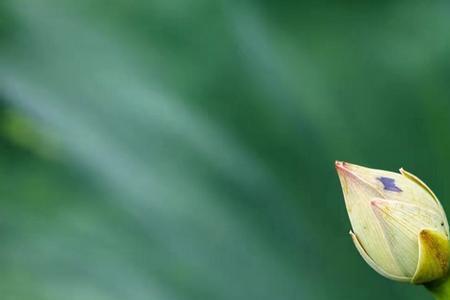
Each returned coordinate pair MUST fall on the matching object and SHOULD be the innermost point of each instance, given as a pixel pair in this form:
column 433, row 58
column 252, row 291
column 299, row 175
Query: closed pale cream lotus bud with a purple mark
column 398, row 225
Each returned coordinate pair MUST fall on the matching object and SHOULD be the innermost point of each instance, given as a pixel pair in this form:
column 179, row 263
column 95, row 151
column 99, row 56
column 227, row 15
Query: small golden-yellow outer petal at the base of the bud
column 433, row 256
